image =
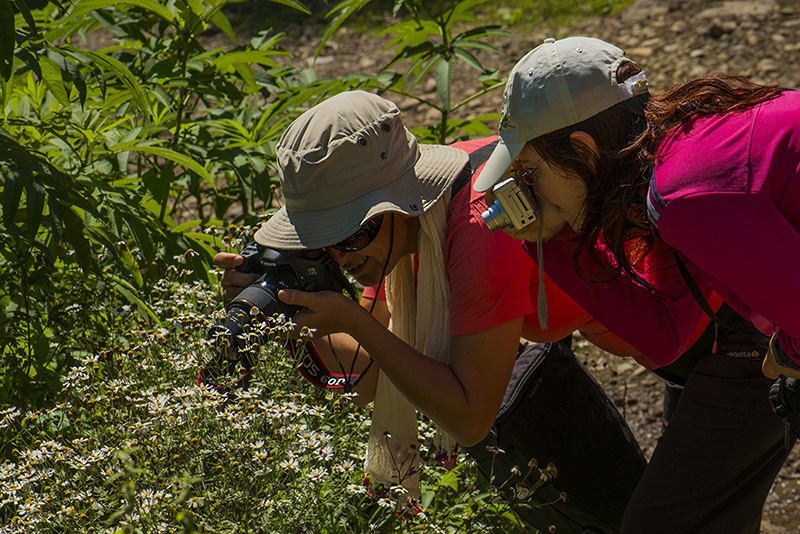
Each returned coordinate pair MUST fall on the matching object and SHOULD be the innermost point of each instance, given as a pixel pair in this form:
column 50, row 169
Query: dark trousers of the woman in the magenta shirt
column 721, row 448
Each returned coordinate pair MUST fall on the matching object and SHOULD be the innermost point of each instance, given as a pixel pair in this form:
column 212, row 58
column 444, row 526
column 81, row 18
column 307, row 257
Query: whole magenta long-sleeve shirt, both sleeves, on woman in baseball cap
column 726, row 194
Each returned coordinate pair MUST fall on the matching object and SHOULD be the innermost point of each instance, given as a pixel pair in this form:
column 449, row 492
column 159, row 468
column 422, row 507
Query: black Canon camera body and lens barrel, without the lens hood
column 307, row 270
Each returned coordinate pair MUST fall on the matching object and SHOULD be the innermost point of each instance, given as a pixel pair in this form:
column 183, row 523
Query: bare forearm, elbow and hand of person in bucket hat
column 463, row 397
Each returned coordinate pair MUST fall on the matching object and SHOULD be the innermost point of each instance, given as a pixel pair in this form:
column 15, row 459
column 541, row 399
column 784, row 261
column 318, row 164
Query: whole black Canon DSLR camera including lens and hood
column 307, row 270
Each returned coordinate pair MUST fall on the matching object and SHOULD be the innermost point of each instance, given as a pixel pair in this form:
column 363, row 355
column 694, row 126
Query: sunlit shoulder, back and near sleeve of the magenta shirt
column 726, row 193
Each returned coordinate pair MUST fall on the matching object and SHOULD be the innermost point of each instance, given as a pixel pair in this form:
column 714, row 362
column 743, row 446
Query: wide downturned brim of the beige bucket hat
column 412, row 194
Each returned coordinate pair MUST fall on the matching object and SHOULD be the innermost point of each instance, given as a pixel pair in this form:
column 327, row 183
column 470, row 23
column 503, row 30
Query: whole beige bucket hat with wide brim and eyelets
column 346, row 160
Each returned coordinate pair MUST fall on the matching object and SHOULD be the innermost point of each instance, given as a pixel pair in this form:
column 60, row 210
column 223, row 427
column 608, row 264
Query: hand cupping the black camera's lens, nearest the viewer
column 325, row 312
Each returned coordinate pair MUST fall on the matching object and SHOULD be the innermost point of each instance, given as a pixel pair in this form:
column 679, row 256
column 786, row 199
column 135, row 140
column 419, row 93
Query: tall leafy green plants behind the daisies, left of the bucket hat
column 117, row 158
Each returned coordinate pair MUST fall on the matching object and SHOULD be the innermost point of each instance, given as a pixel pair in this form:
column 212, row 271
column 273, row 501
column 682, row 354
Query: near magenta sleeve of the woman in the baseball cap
column 742, row 241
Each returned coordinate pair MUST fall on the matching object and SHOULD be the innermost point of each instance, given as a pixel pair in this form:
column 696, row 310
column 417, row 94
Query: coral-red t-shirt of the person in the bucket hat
column 493, row 281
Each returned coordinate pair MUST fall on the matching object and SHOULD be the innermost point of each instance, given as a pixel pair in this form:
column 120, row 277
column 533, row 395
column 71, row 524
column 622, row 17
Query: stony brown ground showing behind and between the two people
column 675, row 40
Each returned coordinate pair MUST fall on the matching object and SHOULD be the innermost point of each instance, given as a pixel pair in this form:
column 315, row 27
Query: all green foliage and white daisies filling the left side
column 130, row 140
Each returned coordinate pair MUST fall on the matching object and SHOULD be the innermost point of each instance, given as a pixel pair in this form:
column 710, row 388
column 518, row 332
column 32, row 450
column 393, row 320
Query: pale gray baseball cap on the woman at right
column 555, row 85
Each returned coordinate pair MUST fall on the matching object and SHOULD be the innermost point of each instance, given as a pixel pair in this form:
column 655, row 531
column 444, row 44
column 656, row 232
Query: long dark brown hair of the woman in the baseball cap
column 627, row 136
